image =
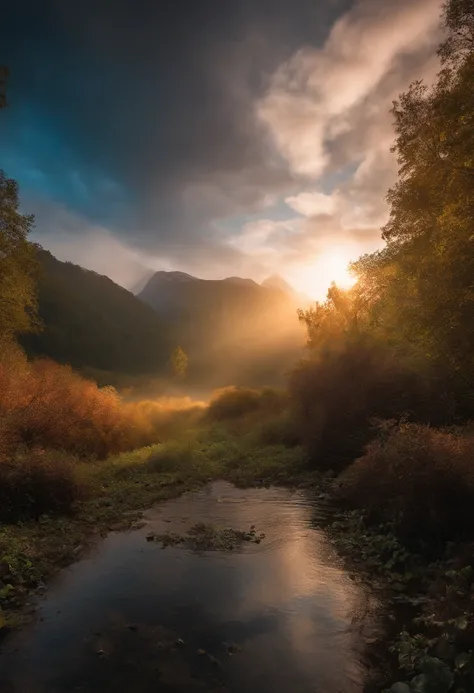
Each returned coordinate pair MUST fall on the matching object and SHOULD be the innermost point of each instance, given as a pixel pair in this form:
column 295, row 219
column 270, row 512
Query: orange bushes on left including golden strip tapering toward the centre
column 46, row 405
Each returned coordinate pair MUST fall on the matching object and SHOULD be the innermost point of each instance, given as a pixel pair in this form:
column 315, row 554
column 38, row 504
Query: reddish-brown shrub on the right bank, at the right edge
column 419, row 478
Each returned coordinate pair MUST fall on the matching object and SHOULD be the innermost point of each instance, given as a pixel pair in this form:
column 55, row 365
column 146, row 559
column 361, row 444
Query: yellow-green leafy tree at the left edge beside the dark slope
column 17, row 263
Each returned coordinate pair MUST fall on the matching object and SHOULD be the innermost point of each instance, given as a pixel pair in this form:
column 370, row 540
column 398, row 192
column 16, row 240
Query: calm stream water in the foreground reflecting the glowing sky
column 112, row 622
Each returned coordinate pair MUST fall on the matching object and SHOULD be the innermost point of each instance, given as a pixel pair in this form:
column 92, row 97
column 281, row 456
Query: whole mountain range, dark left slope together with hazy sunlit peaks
column 233, row 330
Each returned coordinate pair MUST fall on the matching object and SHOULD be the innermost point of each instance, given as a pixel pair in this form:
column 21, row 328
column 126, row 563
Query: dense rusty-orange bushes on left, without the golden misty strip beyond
column 46, row 405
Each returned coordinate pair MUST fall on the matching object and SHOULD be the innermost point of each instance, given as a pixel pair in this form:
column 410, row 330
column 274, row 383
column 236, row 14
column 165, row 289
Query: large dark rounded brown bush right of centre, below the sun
column 336, row 394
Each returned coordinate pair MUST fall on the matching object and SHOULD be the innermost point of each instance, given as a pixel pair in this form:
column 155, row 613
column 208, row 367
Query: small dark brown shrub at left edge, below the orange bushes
column 35, row 482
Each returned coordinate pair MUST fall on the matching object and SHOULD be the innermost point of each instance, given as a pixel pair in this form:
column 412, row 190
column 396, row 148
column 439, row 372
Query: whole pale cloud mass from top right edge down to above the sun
column 328, row 112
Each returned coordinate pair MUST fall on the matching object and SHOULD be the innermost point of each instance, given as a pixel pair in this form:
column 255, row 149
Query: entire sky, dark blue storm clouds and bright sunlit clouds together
column 215, row 137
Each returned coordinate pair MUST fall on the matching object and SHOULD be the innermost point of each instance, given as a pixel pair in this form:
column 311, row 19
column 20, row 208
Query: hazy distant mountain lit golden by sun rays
column 233, row 330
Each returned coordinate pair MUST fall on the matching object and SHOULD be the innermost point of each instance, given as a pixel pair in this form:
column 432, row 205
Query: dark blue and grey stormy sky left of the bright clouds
column 136, row 119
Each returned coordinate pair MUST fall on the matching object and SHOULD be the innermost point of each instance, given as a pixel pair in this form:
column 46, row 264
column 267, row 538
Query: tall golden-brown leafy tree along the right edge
column 422, row 284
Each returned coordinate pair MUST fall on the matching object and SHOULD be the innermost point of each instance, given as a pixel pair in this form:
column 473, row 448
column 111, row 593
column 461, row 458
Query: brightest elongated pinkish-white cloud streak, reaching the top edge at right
column 312, row 96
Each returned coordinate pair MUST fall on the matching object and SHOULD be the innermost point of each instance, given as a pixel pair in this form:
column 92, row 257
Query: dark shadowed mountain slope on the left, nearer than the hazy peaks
column 91, row 322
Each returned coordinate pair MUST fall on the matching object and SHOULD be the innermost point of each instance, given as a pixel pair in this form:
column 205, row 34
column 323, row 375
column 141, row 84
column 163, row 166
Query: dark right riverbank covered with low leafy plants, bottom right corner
column 428, row 605
